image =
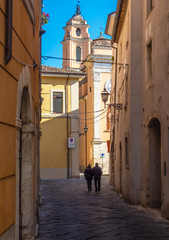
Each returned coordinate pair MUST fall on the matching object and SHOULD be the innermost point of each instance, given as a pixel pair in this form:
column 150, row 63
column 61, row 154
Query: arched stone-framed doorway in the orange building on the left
column 25, row 169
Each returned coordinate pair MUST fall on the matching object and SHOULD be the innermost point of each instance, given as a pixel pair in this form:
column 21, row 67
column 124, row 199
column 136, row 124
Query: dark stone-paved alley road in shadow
column 70, row 212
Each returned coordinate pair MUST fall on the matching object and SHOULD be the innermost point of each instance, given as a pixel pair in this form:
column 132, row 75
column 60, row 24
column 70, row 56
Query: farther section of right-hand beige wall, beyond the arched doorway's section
column 129, row 93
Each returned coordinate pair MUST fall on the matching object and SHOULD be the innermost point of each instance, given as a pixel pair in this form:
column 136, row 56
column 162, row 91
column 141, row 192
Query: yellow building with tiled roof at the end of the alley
column 59, row 124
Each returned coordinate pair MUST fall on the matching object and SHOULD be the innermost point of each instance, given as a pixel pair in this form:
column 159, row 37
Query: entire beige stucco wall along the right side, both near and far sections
column 142, row 101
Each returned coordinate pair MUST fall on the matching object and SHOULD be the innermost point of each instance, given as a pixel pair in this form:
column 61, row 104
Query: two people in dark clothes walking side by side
column 90, row 173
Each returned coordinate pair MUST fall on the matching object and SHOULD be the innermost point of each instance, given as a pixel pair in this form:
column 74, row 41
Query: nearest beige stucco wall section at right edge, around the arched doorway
column 156, row 100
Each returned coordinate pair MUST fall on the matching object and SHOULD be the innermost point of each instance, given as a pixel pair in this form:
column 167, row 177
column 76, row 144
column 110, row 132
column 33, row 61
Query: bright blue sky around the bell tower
column 94, row 12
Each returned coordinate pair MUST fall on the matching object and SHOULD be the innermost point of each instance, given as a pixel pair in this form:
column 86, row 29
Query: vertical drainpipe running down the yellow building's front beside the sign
column 67, row 117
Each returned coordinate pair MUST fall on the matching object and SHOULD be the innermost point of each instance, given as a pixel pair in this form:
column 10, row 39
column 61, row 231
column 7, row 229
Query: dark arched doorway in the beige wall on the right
column 154, row 129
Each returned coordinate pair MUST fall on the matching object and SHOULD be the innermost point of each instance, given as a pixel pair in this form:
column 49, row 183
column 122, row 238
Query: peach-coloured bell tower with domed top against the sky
column 76, row 42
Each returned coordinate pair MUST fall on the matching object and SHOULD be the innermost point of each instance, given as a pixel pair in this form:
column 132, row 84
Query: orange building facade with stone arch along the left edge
column 19, row 117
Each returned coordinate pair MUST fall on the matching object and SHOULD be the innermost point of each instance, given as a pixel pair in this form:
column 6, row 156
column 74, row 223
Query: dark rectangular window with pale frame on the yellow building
column 57, row 102
